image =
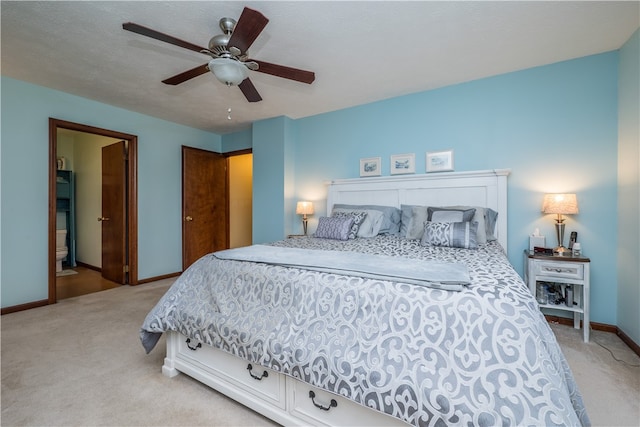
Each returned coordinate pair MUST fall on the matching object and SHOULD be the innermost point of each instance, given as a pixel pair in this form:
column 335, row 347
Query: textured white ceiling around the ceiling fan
column 360, row 51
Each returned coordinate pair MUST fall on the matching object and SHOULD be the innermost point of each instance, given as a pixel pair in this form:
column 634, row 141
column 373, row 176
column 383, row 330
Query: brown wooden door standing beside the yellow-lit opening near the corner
column 205, row 208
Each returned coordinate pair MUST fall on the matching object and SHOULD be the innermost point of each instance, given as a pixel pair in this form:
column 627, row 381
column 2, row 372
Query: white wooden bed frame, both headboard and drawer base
column 287, row 400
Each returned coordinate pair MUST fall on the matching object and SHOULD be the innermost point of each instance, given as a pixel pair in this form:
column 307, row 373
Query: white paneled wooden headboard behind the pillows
column 486, row 188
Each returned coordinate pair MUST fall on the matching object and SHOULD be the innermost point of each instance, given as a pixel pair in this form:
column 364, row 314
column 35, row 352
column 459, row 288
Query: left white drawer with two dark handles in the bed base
column 252, row 378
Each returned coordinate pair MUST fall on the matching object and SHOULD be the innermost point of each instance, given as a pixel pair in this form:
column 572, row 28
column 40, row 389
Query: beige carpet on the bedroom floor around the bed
column 80, row 363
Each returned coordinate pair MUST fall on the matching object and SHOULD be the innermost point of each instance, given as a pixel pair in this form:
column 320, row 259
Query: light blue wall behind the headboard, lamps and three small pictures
column 554, row 126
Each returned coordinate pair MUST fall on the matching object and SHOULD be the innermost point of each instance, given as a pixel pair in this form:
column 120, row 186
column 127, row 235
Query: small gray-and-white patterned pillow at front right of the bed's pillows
column 450, row 234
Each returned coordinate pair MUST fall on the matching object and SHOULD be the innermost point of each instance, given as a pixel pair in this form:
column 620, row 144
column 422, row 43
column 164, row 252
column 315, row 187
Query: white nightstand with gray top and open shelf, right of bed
column 568, row 273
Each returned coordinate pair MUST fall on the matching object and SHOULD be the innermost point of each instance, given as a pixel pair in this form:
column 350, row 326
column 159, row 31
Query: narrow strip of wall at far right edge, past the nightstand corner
column 629, row 190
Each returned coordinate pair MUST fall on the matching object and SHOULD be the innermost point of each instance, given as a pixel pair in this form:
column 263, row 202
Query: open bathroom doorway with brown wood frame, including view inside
column 78, row 149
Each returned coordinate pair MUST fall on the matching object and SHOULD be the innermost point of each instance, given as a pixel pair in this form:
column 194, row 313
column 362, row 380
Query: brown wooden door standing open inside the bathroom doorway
column 113, row 219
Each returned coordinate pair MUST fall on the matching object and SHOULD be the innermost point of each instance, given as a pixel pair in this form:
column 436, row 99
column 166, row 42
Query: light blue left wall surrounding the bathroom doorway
column 26, row 109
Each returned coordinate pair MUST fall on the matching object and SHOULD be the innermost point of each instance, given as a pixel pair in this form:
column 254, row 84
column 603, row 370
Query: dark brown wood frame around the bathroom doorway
column 132, row 197
